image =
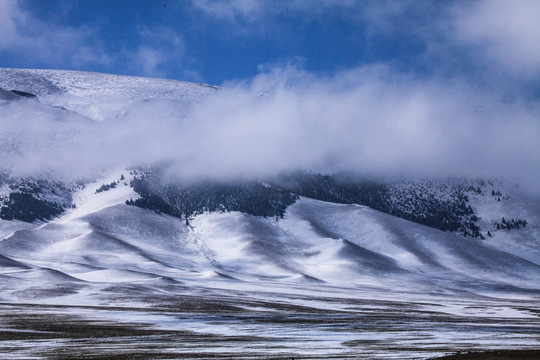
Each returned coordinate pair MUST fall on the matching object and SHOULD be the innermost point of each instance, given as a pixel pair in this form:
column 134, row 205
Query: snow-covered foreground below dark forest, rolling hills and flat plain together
column 108, row 280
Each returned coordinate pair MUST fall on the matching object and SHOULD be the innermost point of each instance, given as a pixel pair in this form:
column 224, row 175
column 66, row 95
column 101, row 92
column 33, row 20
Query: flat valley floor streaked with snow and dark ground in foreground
column 181, row 321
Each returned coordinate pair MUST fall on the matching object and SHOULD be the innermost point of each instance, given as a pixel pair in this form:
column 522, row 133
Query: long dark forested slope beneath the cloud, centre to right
column 438, row 204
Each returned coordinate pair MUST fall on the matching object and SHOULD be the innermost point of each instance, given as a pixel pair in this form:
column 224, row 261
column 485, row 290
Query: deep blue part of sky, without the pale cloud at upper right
column 205, row 41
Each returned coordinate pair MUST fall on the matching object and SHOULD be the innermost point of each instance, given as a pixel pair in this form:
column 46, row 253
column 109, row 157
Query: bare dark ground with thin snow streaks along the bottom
column 205, row 327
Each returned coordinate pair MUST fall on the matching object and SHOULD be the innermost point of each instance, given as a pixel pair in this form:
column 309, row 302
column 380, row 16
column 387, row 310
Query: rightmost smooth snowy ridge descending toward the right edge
column 412, row 246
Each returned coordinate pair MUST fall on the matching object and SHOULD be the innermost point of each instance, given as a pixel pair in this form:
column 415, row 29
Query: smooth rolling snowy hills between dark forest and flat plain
column 340, row 245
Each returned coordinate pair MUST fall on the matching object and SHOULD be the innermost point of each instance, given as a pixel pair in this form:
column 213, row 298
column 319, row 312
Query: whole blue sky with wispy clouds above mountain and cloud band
column 220, row 41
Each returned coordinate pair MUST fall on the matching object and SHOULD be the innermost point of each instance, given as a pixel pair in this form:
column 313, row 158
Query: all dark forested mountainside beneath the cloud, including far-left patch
column 442, row 205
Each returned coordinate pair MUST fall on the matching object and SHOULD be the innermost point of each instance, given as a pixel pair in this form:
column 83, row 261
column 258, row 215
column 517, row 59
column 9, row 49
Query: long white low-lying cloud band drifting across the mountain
column 370, row 120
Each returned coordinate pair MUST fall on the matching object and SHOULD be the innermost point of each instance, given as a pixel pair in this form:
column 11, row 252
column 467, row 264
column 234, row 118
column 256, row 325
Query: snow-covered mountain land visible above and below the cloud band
column 130, row 264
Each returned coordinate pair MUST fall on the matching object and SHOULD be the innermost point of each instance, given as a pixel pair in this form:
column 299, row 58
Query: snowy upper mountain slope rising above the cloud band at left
column 99, row 96
